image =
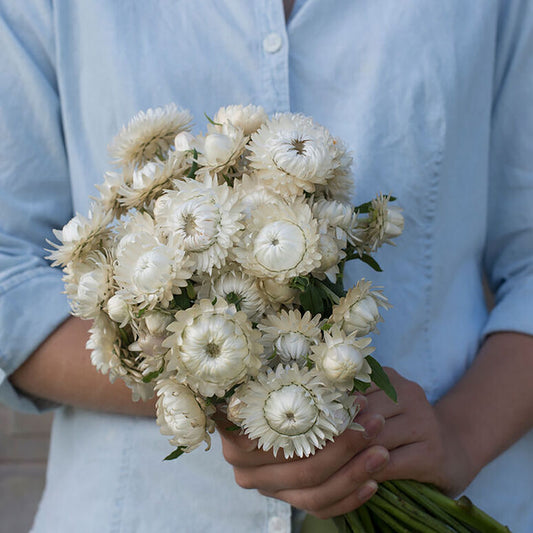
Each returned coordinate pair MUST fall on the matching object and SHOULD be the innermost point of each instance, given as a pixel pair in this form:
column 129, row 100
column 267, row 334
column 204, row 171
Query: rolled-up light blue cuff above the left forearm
column 31, row 307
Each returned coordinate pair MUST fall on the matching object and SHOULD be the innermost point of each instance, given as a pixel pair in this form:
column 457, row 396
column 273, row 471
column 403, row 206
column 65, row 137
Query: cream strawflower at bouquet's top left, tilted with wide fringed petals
column 148, row 135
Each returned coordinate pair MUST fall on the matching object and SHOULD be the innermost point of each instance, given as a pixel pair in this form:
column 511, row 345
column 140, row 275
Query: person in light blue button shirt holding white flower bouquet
column 433, row 102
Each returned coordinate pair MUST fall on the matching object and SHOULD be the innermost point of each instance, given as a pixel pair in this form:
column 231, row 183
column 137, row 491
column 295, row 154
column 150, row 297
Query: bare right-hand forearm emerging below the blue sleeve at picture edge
column 492, row 405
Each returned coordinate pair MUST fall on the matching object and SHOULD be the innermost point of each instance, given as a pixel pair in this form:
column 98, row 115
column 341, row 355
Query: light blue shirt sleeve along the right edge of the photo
column 509, row 246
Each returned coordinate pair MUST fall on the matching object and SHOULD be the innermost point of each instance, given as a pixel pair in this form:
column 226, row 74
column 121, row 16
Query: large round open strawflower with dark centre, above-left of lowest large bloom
column 213, row 347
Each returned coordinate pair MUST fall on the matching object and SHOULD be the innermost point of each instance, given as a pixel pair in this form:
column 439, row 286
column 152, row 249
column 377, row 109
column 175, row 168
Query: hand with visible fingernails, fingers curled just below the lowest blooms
column 336, row 479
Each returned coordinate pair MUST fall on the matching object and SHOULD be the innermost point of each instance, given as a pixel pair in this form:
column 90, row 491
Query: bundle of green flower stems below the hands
column 404, row 506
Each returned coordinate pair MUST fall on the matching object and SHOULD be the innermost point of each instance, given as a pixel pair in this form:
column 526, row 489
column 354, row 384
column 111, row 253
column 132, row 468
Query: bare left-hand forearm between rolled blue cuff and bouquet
column 61, row 370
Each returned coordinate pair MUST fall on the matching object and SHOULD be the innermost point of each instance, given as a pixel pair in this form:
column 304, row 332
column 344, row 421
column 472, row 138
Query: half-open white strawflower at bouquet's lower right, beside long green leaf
column 341, row 358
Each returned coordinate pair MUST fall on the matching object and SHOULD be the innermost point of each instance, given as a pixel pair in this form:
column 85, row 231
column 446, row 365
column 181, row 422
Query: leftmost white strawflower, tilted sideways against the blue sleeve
column 80, row 236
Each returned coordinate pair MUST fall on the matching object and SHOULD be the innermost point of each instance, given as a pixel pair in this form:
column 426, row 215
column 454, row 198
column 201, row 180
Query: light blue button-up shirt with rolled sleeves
column 434, row 99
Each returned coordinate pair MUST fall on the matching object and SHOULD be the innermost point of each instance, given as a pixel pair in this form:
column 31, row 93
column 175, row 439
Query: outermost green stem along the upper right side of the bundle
column 462, row 509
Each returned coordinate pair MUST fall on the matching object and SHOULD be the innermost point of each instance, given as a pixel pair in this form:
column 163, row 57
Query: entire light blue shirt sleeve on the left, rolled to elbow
column 34, row 189
